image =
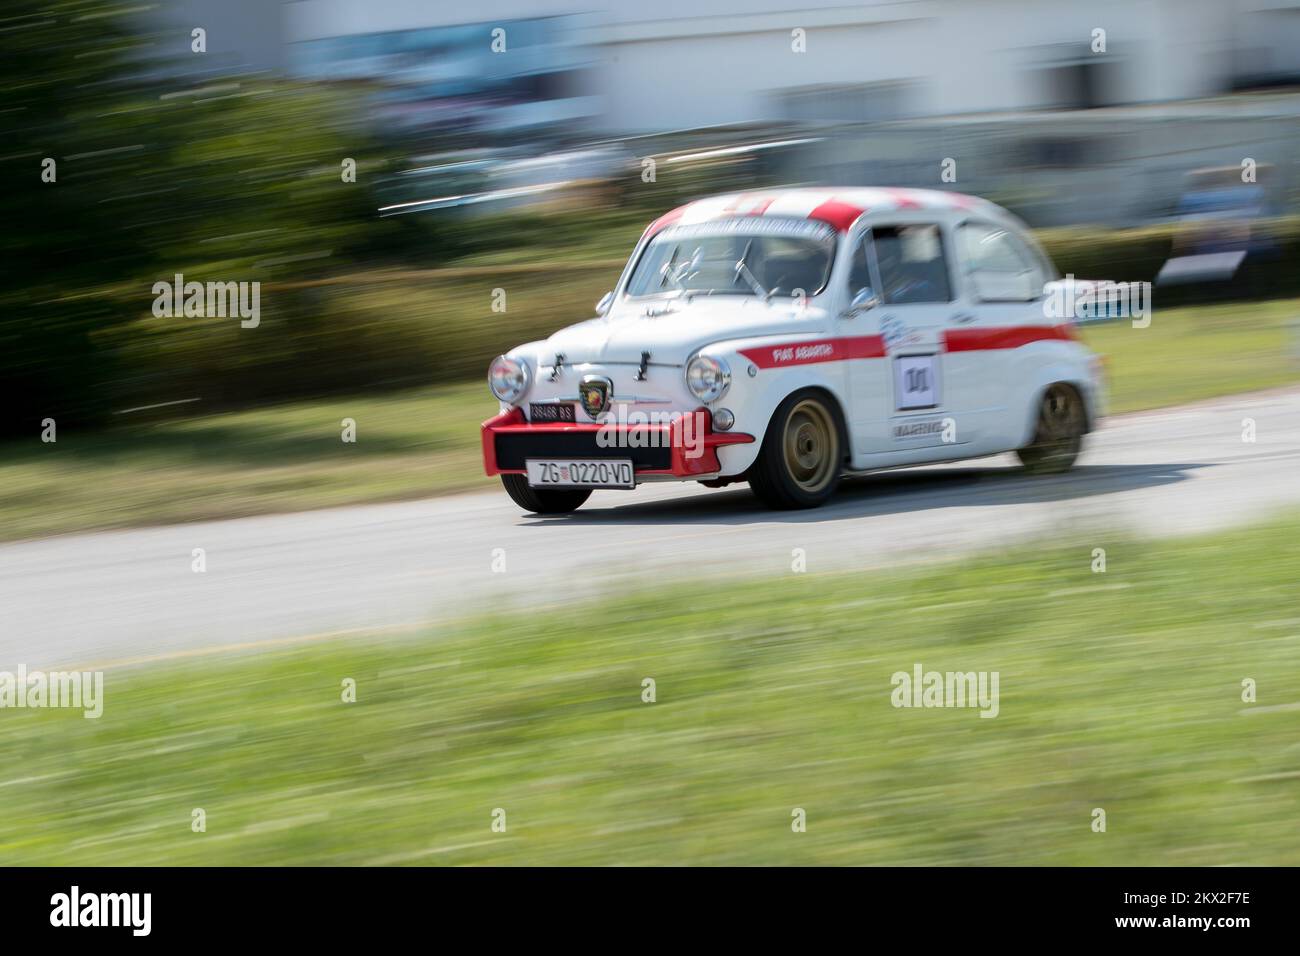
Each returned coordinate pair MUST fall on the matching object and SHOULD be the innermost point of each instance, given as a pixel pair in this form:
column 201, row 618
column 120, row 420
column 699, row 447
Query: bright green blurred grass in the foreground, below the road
column 1119, row 691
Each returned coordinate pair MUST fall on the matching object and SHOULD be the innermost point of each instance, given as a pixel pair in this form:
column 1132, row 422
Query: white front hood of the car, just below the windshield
column 671, row 336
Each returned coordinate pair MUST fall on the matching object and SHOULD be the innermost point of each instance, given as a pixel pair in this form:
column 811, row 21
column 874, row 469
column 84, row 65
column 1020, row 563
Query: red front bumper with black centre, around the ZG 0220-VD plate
column 686, row 452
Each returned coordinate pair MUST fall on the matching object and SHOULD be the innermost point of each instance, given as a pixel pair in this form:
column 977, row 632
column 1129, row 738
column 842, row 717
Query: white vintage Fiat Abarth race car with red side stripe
column 788, row 339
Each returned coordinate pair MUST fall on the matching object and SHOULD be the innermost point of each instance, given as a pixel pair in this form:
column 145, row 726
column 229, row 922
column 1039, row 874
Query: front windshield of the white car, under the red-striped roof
column 744, row 257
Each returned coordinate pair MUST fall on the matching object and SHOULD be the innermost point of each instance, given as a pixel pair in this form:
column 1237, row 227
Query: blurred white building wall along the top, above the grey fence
column 674, row 64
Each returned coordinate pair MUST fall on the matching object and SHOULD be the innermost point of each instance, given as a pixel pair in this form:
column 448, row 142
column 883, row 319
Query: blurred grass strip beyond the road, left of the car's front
column 280, row 458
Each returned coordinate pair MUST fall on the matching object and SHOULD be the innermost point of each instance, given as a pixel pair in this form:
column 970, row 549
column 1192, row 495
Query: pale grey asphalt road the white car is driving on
column 116, row 598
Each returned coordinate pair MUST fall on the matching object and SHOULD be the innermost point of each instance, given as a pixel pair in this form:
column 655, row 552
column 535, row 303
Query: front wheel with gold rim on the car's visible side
column 803, row 453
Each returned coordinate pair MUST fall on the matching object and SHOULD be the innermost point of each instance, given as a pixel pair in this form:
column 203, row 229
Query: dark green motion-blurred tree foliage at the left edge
column 154, row 175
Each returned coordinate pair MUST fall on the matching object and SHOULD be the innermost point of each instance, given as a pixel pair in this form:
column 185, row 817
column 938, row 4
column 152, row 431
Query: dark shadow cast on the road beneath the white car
column 889, row 492
